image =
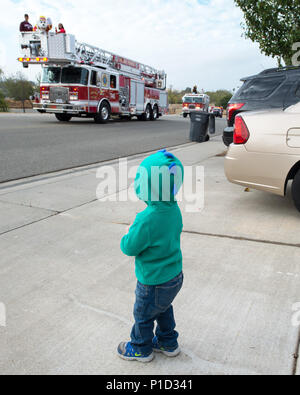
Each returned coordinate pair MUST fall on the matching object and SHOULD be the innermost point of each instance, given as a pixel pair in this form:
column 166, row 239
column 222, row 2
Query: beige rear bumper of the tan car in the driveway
column 256, row 170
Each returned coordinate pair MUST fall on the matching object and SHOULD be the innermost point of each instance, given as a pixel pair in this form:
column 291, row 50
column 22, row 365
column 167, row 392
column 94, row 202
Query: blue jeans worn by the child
column 154, row 303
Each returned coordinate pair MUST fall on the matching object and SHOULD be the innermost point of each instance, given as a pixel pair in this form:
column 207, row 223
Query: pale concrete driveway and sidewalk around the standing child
column 69, row 291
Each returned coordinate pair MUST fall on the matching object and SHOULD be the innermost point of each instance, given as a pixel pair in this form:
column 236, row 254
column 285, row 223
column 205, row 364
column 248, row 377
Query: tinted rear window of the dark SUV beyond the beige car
column 259, row 88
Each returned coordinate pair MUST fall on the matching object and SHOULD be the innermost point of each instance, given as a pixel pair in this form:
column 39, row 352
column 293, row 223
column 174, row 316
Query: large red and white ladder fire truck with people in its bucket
column 80, row 80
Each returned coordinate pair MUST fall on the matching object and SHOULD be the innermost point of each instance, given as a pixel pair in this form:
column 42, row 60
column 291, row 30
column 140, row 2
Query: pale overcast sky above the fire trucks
column 194, row 41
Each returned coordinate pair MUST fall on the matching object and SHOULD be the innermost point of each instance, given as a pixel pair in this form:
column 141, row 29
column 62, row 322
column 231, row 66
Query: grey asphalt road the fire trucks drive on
column 33, row 144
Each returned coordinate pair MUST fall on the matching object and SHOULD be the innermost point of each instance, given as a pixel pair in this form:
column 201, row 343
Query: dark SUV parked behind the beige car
column 272, row 88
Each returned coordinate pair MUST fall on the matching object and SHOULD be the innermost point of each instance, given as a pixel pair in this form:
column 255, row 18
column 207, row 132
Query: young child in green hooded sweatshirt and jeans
column 154, row 239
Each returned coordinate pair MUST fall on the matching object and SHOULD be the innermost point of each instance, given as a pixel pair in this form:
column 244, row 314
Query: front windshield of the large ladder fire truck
column 65, row 75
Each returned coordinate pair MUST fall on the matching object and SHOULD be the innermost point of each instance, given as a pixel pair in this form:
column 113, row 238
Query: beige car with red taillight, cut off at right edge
column 265, row 153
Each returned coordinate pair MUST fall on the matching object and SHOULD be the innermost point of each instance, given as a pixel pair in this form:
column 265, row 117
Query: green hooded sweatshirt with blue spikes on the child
column 154, row 237
